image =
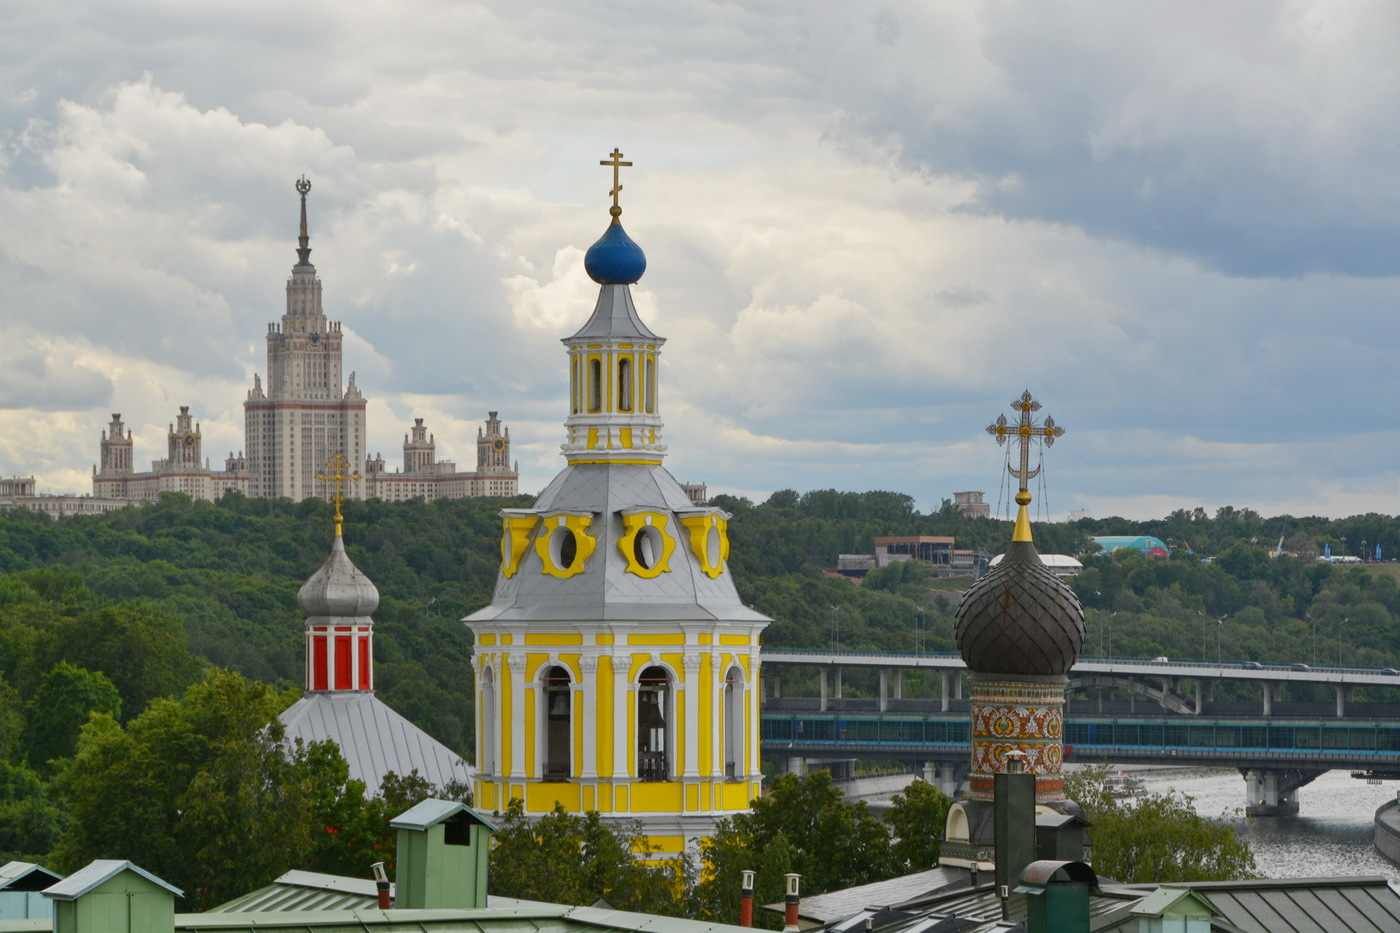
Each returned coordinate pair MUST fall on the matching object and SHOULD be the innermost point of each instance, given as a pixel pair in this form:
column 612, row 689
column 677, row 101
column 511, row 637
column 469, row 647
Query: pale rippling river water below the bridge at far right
column 1331, row 836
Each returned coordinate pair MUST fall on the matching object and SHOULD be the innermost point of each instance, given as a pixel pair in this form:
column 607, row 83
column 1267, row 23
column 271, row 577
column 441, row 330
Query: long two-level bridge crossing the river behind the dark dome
column 1171, row 717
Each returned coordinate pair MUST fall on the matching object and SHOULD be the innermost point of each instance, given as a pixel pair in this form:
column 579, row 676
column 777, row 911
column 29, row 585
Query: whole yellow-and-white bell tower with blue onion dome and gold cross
column 617, row 668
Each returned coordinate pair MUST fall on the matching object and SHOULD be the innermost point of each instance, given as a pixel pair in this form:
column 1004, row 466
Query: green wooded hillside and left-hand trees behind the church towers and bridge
column 120, row 624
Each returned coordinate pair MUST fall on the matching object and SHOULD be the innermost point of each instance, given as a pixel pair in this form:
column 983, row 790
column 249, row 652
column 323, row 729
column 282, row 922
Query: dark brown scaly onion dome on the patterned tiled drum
column 1020, row 618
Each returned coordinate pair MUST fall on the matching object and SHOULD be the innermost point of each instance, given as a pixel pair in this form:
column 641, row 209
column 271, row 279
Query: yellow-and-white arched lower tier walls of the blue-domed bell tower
column 603, row 729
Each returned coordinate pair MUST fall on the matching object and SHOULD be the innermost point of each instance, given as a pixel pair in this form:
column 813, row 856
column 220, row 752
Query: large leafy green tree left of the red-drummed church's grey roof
column 205, row 792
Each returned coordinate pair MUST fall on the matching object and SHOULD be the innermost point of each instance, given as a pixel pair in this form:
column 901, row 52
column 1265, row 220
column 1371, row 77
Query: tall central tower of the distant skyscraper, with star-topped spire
column 306, row 415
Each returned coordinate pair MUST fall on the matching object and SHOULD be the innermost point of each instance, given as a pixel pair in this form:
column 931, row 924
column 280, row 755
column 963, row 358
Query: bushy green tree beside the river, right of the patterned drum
column 1157, row 838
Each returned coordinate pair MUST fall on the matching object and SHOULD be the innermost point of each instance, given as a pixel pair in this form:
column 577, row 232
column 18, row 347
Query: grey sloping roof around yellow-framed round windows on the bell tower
column 605, row 590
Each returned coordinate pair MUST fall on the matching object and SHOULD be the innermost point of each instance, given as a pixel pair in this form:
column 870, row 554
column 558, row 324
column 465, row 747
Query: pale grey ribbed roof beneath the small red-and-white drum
column 373, row 739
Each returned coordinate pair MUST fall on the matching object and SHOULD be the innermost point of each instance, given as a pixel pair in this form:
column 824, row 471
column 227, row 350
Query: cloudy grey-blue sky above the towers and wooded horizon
column 869, row 228
